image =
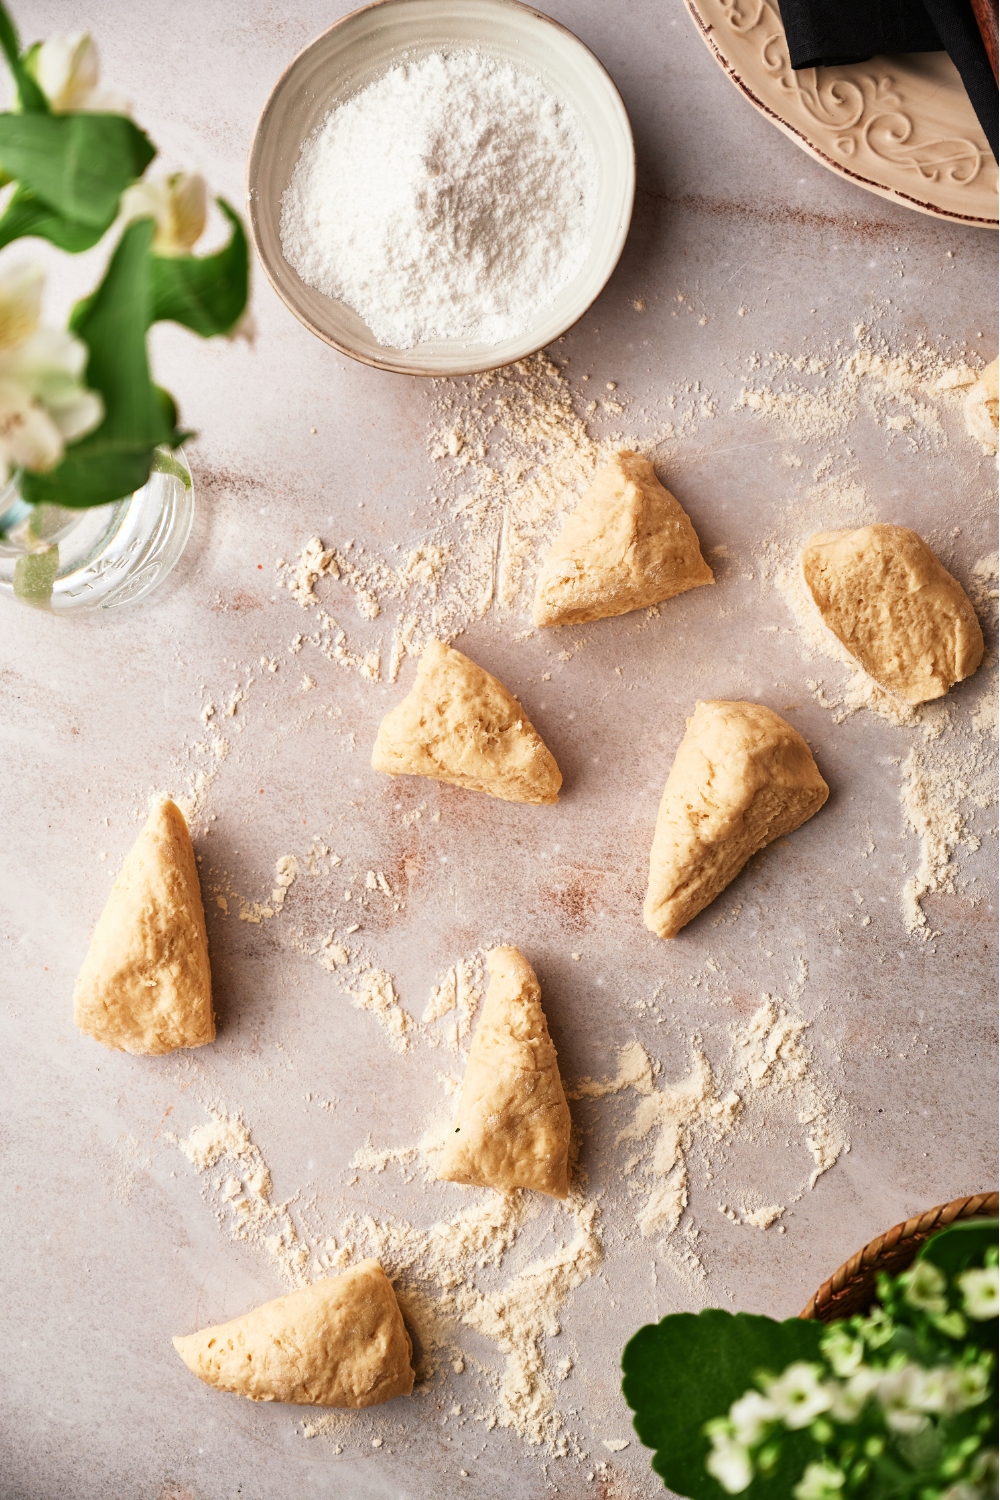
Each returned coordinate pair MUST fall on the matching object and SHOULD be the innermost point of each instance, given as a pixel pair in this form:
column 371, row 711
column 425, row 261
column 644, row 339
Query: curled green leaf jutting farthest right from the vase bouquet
column 205, row 293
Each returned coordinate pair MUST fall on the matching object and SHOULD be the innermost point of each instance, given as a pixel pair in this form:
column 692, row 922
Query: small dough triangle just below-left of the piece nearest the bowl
column 460, row 725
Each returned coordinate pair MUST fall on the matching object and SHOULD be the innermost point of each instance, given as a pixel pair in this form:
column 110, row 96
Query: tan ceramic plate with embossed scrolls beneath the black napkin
column 900, row 127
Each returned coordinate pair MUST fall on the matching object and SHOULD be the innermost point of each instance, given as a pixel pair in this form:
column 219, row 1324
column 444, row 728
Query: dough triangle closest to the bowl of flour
column 626, row 547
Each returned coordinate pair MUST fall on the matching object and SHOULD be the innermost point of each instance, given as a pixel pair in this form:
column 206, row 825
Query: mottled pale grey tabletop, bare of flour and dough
column 107, row 1253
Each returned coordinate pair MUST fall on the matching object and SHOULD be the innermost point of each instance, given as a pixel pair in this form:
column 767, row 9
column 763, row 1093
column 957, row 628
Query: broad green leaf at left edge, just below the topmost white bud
column 77, row 164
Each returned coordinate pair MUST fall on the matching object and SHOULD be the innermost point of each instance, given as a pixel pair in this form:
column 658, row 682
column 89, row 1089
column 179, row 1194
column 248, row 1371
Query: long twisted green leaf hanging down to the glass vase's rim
column 115, row 458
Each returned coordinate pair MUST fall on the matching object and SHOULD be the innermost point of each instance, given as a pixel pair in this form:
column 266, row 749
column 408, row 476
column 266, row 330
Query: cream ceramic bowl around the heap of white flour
column 364, row 47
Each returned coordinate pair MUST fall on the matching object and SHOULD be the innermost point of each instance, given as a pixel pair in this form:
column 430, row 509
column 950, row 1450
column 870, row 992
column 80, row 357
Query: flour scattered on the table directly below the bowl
column 512, row 455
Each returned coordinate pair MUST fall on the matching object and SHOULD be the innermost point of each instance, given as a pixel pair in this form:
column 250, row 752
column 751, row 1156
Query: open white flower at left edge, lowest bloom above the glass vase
column 44, row 403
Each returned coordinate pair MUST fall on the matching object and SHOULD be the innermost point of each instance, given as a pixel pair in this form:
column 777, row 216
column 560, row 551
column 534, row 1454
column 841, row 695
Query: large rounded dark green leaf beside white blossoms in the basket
column 689, row 1369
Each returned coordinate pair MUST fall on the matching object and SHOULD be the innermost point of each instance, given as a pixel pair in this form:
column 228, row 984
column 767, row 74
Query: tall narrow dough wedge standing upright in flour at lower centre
column 512, row 1127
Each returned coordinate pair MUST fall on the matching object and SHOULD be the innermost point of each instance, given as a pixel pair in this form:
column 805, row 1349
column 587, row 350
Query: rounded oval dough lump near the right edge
column 888, row 599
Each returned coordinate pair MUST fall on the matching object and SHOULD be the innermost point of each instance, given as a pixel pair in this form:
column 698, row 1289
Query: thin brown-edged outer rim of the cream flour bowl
column 479, row 367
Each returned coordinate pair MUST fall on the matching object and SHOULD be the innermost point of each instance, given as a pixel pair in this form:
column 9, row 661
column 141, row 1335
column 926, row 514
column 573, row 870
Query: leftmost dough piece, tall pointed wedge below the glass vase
column 146, row 985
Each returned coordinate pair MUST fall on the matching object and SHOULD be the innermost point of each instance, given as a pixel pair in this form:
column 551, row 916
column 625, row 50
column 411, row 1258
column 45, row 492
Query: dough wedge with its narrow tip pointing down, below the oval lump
column 740, row 779
